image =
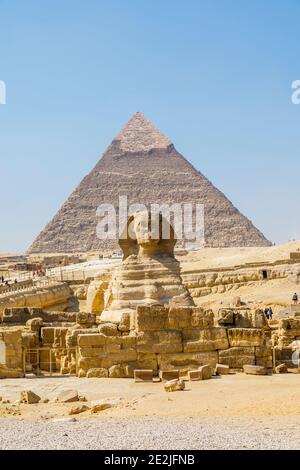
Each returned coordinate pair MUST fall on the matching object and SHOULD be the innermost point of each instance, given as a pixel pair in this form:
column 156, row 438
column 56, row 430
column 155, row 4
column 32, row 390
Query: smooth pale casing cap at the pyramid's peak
column 140, row 135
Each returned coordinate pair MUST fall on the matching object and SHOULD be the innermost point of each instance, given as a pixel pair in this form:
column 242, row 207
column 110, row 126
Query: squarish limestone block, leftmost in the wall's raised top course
column 150, row 318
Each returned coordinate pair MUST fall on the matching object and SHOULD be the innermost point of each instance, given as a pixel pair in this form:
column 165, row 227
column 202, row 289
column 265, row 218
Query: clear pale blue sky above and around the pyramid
column 215, row 76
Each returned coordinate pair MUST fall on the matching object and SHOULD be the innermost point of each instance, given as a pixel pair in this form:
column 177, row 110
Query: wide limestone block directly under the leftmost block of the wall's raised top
column 161, row 342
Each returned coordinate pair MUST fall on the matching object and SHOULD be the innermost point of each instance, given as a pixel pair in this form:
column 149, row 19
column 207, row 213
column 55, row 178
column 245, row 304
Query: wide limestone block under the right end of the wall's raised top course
column 210, row 339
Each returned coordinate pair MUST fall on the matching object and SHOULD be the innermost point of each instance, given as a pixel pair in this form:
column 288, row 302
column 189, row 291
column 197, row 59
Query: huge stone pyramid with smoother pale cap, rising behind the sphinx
column 142, row 164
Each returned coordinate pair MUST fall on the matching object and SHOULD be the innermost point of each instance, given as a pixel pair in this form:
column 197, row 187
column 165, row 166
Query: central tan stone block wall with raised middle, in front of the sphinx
column 163, row 338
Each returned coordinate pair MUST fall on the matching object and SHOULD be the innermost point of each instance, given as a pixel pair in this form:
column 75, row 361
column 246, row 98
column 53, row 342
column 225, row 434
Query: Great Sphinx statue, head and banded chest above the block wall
column 149, row 273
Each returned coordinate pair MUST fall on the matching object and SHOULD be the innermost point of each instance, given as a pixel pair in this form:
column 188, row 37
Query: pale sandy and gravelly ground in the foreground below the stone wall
column 228, row 412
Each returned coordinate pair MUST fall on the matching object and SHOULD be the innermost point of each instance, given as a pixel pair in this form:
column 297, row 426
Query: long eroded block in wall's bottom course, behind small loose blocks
column 187, row 361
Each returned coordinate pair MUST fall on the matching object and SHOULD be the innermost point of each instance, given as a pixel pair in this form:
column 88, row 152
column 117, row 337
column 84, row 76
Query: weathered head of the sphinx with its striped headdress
column 147, row 233
